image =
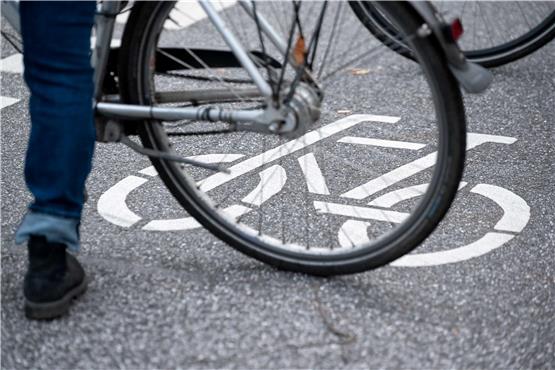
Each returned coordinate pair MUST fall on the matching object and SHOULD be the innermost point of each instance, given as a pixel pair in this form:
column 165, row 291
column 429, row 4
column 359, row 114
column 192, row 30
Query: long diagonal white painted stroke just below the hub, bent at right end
column 290, row 147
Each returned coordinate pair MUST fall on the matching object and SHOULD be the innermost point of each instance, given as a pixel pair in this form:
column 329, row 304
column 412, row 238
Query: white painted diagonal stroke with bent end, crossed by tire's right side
column 419, row 165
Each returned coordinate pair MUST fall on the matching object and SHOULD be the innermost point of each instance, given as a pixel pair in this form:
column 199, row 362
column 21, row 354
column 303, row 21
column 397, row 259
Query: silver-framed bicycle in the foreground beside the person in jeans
column 271, row 96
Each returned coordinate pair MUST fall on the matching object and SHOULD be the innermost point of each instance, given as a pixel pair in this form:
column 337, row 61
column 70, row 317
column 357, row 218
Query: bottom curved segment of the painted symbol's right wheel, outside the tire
column 484, row 245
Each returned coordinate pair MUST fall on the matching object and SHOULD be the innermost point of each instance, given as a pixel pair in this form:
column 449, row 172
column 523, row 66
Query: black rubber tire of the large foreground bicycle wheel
column 142, row 31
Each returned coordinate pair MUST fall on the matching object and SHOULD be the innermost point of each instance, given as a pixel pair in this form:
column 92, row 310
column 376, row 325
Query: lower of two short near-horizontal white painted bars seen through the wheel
column 360, row 212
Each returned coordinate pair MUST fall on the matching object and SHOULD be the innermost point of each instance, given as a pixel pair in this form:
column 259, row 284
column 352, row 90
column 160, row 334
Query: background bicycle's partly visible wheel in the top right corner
column 500, row 33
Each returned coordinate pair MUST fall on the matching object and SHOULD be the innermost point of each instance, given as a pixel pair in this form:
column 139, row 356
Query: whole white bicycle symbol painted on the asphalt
column 516, row 212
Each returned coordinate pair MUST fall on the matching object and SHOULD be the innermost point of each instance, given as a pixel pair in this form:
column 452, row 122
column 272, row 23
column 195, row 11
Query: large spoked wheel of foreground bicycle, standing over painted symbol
column 292, row 203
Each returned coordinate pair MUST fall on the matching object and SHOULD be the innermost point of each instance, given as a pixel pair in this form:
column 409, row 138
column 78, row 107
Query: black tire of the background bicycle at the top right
column 491, row 57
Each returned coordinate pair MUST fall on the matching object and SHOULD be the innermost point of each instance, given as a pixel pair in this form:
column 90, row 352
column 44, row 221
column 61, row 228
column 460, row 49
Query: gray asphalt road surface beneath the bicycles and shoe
column 186, row 300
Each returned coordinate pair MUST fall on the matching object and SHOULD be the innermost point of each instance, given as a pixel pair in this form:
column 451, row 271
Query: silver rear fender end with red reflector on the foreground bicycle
column 471, row 76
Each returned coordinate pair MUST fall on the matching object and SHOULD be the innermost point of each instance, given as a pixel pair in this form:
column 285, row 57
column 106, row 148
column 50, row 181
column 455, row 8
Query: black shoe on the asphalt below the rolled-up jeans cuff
column 53, row 279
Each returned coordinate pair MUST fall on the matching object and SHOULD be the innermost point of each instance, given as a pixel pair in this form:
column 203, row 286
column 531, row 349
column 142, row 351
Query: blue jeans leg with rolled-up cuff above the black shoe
column 57, row 58
